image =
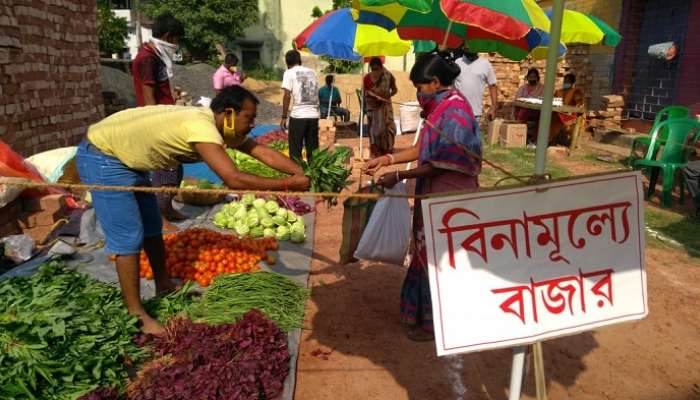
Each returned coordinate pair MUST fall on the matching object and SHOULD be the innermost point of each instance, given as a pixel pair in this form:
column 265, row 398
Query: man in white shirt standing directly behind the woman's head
column 476, row 74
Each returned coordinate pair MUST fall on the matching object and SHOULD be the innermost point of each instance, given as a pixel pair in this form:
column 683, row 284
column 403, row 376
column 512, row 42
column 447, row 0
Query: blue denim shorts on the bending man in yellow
column 125, row 217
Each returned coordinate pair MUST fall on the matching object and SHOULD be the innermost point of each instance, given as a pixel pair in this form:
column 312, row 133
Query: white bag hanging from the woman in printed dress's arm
column 388, row 231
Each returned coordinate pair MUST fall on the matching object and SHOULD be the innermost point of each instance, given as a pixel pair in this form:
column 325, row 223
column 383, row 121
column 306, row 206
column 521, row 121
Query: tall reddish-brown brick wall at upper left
column 49, row 73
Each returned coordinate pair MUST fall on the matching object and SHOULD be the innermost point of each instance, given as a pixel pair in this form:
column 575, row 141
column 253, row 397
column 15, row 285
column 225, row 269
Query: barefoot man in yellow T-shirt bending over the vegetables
column 121, row 150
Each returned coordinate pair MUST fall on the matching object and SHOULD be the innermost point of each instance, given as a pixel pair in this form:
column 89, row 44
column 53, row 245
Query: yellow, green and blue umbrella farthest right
column 582, row 28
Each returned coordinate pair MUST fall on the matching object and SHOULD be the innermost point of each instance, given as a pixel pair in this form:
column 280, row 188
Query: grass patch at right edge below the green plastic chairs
column 680, row 228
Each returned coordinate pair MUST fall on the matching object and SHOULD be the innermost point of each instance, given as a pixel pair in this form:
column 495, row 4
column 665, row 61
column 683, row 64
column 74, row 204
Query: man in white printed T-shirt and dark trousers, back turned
column 300, row 83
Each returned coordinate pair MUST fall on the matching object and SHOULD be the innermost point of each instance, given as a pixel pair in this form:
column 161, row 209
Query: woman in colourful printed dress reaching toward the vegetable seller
column 449, row 159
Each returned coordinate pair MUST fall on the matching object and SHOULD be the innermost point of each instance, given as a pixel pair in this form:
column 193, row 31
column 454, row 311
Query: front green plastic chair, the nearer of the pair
column 682, row 134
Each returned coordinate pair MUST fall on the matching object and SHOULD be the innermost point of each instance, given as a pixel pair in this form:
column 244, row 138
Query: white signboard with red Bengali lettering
column 521, row 265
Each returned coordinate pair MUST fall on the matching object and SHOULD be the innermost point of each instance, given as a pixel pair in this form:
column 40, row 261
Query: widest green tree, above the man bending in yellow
column 207, row 22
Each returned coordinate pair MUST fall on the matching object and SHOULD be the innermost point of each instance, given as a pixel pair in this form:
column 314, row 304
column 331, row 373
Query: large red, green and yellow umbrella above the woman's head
column 453, row 22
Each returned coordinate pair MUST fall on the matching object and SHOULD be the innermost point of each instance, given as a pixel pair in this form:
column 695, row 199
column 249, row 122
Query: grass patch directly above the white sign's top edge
column 520, row 162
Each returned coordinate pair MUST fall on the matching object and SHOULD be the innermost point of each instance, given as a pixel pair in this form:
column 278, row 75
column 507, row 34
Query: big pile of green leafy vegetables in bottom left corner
column 62, row 334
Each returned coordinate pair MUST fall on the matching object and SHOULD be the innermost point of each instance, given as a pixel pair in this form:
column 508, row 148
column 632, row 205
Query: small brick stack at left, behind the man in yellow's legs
column 39, row 216
